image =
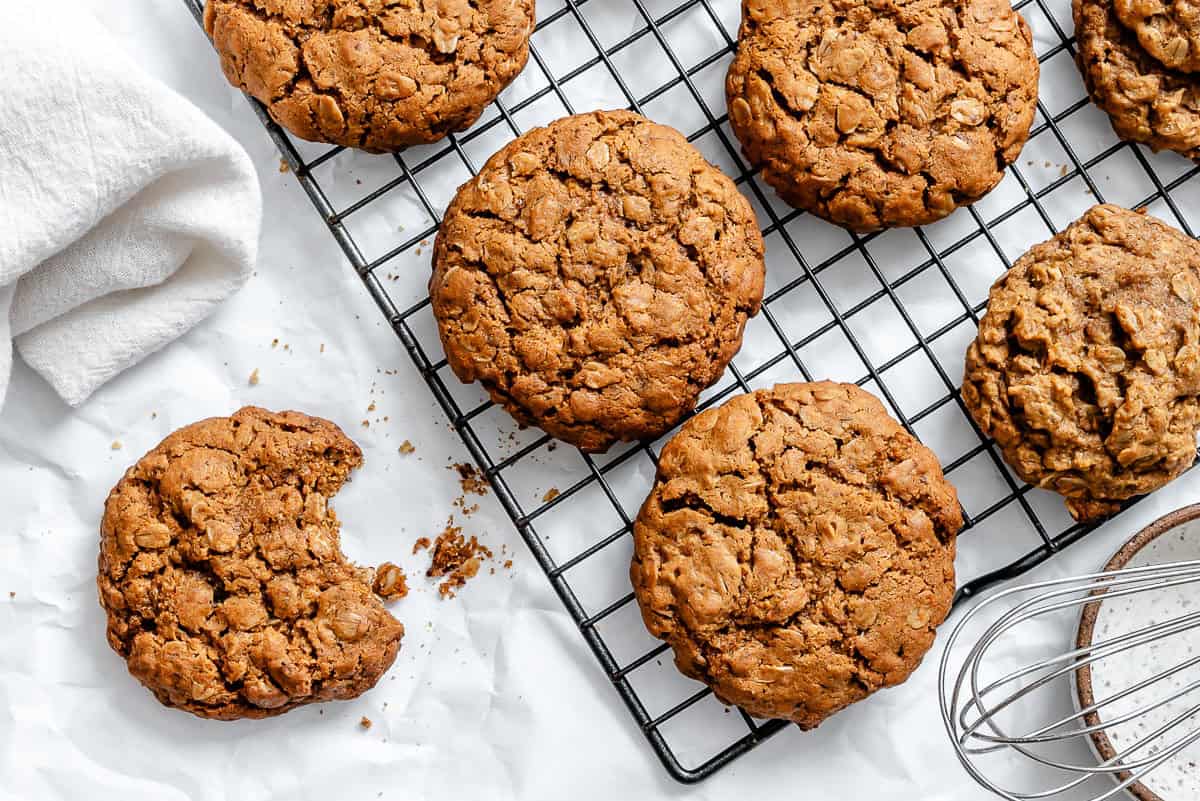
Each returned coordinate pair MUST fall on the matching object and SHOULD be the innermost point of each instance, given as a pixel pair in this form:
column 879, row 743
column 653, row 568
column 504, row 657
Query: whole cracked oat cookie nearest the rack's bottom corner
column 797, row 551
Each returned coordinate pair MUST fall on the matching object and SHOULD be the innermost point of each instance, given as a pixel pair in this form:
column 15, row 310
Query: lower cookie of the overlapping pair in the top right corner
column 1145, row 101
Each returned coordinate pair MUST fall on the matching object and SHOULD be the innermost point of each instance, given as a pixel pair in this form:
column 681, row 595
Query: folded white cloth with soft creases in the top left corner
column 127, row 215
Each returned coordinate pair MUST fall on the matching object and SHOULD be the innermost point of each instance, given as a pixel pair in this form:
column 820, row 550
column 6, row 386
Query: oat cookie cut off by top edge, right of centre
column 883, row 115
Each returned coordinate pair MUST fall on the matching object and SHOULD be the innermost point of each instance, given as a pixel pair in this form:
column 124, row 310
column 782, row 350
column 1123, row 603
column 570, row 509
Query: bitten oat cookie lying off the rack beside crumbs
column 221, row 574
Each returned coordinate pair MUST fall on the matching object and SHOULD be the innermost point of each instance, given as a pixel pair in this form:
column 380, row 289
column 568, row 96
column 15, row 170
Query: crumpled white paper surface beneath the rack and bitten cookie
column 495, row 695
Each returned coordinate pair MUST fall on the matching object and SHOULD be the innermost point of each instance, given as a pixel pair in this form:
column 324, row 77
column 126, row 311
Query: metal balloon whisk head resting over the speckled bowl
column 1033, row 716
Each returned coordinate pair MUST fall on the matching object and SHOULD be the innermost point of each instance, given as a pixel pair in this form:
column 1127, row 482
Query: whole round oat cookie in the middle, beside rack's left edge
column 596, row 278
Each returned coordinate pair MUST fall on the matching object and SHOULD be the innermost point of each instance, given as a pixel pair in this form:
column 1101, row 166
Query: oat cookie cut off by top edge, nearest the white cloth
column 376, row 75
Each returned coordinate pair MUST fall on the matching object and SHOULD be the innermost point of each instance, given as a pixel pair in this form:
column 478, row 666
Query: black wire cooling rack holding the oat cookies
column 892, row 312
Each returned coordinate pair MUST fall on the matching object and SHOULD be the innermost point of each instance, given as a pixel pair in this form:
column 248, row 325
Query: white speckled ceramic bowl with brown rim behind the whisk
column 1172, row 539
